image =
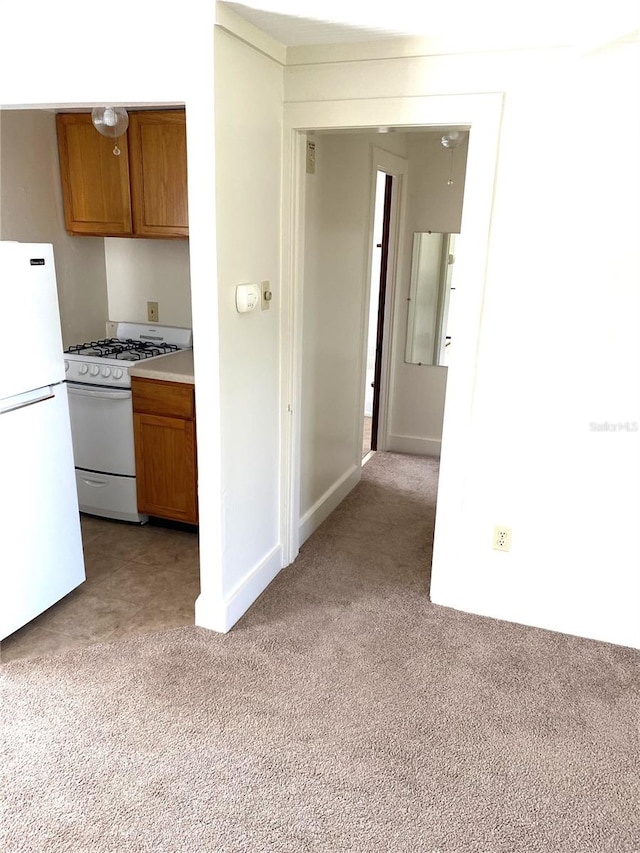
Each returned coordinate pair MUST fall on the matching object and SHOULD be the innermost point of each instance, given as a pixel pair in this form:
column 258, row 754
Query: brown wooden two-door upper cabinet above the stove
column 140, row 193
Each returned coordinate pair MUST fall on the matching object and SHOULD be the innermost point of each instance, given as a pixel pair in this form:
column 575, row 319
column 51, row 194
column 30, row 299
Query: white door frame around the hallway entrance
column 482, row 115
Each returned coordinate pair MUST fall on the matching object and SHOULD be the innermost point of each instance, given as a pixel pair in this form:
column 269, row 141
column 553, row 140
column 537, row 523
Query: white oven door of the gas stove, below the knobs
column 102, row 429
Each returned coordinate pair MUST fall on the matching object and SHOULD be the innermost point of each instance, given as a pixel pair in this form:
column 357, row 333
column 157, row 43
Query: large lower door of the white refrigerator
column 41, row 558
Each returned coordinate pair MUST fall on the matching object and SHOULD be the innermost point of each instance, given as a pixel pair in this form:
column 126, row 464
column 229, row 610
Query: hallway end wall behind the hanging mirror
column 416, row 406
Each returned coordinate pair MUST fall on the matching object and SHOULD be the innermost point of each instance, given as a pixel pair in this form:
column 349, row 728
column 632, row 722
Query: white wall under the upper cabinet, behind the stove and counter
column 139, row 271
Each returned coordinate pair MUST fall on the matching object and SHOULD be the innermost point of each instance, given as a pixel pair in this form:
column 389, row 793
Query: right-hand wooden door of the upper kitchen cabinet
column 158, row 162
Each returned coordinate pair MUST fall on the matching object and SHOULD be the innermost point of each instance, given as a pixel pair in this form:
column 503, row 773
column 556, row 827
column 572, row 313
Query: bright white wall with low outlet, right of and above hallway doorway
column 557, row 347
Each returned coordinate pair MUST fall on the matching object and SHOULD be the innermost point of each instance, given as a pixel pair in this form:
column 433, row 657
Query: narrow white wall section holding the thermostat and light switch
column 248, row 113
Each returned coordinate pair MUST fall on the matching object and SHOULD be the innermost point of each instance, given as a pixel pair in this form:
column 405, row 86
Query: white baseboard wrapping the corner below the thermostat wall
column 222, row 615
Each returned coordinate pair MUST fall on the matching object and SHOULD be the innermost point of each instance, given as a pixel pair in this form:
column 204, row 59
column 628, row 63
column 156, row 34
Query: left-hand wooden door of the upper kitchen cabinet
column 95, row 181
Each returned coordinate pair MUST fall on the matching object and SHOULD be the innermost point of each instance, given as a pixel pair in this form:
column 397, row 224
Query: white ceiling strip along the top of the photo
column 467, row 24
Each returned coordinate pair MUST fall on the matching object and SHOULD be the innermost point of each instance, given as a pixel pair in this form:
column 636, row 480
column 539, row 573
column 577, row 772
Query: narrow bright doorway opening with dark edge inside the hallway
column 377, row 302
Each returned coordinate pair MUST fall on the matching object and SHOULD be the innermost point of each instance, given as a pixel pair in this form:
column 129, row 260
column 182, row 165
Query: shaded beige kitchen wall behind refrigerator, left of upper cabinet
column 31, row 211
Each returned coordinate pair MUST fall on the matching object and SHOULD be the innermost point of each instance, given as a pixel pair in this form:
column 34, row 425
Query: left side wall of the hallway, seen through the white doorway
column 338, row 220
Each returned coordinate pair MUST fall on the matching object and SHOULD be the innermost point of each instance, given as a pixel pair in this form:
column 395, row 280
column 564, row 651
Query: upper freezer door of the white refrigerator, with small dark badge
column 31, row 343
